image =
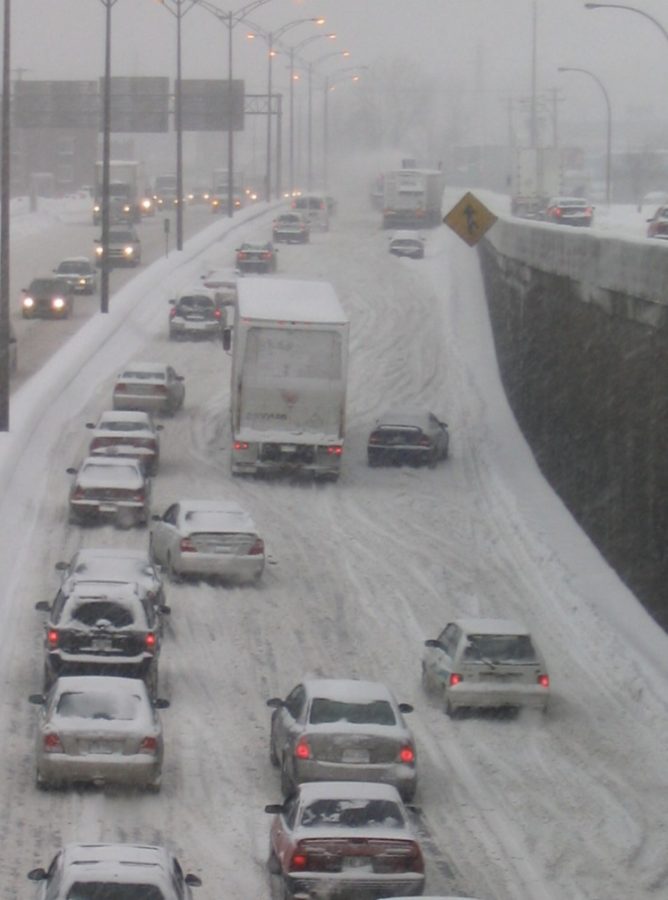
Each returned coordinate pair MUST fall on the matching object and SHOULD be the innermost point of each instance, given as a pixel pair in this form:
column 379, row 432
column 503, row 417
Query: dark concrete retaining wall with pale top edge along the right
column 581, row 331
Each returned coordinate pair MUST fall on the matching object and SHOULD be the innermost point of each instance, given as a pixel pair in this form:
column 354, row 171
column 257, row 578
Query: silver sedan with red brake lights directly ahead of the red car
column 342, row 730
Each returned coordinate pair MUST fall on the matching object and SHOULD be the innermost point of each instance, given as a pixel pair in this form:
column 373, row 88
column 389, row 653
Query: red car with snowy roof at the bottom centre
column 343, row 838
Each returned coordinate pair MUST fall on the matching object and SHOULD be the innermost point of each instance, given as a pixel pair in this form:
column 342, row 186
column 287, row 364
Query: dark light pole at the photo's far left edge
column 4, row 222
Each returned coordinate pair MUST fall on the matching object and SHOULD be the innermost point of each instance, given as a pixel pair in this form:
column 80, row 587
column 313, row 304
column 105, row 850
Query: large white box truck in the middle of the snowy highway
column 289, row 374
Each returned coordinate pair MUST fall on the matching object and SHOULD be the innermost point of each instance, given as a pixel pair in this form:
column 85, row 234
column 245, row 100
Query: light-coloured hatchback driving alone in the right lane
column 486, row 663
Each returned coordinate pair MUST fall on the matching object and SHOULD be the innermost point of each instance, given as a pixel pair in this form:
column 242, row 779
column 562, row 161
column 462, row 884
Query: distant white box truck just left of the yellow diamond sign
column 412, row 198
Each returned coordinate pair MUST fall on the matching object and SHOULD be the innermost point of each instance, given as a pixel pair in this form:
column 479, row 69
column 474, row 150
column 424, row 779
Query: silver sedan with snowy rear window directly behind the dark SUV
column 100, row 730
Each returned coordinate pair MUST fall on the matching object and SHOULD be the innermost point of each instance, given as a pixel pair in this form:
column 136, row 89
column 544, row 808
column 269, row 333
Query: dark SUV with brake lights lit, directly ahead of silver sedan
column 101, row 628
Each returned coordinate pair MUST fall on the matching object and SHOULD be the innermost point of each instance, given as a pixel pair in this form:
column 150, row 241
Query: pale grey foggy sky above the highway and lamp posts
column 479, row 49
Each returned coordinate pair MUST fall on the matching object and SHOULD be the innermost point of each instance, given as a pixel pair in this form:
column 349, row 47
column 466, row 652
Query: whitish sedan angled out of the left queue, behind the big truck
column 212, row 538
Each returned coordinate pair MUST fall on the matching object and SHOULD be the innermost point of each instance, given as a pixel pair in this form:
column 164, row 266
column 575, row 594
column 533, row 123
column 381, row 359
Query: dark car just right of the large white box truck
column 416, row 438
